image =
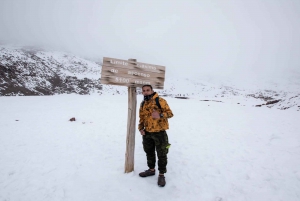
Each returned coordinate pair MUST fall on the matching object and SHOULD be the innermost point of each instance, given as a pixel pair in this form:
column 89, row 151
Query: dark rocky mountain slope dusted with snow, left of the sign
column 31, row 71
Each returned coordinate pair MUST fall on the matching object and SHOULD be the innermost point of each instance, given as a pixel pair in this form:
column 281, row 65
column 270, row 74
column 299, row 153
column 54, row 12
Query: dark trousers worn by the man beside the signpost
column 160, row 142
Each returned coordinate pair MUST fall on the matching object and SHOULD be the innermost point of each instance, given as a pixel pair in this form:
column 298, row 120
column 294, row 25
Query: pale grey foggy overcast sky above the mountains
column 189, row 37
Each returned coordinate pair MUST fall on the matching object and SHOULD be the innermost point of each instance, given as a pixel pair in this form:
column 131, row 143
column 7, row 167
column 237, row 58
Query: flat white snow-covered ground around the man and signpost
column 220, row 151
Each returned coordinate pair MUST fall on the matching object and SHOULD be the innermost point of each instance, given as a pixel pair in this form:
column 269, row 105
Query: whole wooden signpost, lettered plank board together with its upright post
column 132, row 74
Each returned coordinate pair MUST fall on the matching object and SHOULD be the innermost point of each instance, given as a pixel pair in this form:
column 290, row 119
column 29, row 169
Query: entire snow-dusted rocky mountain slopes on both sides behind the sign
column 32, row 71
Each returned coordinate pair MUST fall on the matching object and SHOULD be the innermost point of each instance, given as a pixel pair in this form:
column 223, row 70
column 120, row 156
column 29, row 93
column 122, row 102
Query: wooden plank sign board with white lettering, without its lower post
column 131, row 73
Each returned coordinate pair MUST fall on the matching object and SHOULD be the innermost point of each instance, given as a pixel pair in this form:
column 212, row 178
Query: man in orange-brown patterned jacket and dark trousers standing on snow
column 154, row 113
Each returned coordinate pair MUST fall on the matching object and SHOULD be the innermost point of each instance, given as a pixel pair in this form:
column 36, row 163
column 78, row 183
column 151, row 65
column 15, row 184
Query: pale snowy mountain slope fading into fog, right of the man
column 279, row 96
